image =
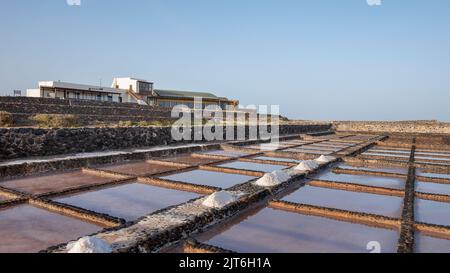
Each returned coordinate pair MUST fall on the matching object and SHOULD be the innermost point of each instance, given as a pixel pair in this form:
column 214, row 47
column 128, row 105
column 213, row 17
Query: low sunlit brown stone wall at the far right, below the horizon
column 411, row 127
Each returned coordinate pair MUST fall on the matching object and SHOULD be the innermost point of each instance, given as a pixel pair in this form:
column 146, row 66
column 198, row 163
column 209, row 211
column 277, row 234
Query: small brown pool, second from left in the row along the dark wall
column 139, row 168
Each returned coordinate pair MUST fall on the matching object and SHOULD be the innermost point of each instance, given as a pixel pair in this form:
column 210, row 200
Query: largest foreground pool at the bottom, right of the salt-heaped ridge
column 274, row 231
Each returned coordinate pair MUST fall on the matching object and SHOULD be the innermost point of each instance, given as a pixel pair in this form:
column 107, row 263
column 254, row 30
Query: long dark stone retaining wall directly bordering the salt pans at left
column 26, row 142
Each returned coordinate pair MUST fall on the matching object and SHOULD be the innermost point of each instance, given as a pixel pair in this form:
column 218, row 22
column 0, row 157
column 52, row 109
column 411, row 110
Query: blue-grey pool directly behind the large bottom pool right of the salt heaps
column 345, row 200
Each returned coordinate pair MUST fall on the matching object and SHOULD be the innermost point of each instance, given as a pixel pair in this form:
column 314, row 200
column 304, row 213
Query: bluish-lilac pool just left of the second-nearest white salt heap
column 129, row 201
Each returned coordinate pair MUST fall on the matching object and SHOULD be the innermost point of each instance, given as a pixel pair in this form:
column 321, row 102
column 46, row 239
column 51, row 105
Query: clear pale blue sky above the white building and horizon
column 317, row 59
